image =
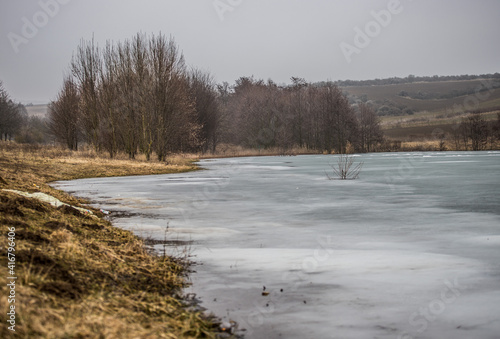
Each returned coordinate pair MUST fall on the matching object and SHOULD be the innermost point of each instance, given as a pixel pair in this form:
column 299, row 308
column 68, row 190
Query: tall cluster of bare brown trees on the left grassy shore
column 135, row 96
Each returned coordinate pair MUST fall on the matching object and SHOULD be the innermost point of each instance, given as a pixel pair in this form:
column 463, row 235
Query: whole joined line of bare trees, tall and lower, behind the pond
column 138, row 96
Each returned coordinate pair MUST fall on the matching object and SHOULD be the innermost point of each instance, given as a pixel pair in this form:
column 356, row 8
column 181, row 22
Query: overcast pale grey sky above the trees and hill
column 269, row 39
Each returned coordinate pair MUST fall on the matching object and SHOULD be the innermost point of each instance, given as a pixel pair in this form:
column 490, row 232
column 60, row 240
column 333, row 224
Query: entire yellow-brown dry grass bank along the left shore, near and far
column 80, row 277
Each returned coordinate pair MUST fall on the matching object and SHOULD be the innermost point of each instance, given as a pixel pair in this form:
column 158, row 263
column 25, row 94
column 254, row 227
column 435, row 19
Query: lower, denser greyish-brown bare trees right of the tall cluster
column 262, row 114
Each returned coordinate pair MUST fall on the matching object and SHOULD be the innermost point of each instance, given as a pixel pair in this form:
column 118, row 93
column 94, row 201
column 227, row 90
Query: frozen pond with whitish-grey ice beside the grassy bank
column 411, row 249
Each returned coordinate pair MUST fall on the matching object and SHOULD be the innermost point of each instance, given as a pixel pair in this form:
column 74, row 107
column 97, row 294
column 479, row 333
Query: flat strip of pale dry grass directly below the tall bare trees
column 30, row 168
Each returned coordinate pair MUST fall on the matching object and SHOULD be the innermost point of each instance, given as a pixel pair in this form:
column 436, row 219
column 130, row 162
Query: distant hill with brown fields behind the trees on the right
column 415, row 110
